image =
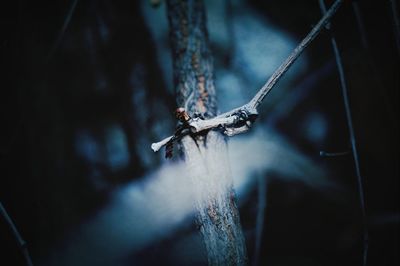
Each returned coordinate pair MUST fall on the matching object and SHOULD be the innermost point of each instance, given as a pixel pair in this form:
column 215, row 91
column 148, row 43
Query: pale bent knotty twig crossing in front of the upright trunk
column 229, row 120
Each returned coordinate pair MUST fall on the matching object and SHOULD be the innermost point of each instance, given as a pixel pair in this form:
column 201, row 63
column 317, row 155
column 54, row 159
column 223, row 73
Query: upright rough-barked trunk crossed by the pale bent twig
column 206, row 155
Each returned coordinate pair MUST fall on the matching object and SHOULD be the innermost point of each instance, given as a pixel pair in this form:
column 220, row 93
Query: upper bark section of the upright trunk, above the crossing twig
column 192, row 59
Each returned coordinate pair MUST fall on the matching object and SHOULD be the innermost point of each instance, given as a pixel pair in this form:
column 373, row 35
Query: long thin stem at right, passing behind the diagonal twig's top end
column 352, row 139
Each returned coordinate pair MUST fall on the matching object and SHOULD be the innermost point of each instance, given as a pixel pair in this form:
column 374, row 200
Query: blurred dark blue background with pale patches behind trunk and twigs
column 87, row 87
